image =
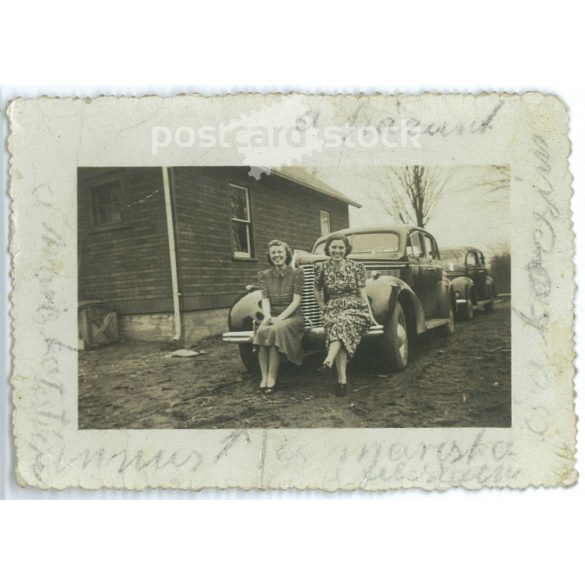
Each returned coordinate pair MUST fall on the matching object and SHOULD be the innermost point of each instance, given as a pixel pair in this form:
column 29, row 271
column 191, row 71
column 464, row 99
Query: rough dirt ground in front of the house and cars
column 460, row 381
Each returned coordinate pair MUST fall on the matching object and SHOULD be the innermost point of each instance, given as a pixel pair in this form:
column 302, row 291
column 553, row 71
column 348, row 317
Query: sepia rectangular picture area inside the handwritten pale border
column 305, row 297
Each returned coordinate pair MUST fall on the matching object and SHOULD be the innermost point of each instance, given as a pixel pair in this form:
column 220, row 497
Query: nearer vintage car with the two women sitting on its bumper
column 406, row 285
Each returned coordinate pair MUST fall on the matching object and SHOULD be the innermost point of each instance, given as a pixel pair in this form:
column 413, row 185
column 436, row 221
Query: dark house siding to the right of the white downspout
column 209, row 275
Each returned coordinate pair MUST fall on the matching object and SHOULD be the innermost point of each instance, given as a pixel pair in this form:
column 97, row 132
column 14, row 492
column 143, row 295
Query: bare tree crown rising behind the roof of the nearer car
column 412, row 192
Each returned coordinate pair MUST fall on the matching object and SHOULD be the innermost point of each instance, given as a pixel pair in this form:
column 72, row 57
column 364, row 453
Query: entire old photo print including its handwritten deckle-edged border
column 276, row 291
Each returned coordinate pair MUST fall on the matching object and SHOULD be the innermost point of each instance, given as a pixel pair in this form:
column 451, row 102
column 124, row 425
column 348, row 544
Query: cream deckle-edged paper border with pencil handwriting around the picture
column 51, row 137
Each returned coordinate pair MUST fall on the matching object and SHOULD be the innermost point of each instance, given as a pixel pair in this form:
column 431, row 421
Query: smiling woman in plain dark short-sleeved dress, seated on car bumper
column 283, row 325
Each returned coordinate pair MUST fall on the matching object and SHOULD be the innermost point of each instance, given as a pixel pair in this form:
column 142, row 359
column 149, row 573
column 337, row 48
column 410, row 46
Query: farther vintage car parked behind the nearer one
column 469, row 275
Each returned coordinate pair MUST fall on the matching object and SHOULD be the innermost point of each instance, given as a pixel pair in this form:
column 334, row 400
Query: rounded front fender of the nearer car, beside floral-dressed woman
column 385, row 291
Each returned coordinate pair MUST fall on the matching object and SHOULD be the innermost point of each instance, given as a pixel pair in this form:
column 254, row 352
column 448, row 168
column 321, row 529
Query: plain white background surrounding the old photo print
column 535, row 536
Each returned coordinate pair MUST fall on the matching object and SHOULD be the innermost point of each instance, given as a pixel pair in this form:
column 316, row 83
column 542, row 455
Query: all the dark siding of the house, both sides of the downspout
column 128, row 265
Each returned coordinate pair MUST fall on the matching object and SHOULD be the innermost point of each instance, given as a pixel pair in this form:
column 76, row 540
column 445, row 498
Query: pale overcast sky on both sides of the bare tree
column 466, row 213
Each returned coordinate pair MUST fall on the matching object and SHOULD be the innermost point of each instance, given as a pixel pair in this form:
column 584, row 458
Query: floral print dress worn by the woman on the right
column 346, row 317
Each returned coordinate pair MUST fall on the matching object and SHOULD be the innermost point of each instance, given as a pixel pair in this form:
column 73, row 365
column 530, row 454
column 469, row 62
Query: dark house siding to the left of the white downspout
column 127, row 264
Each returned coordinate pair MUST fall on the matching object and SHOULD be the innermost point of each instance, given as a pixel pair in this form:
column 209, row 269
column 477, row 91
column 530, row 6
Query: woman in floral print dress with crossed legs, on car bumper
column 346, row 313
